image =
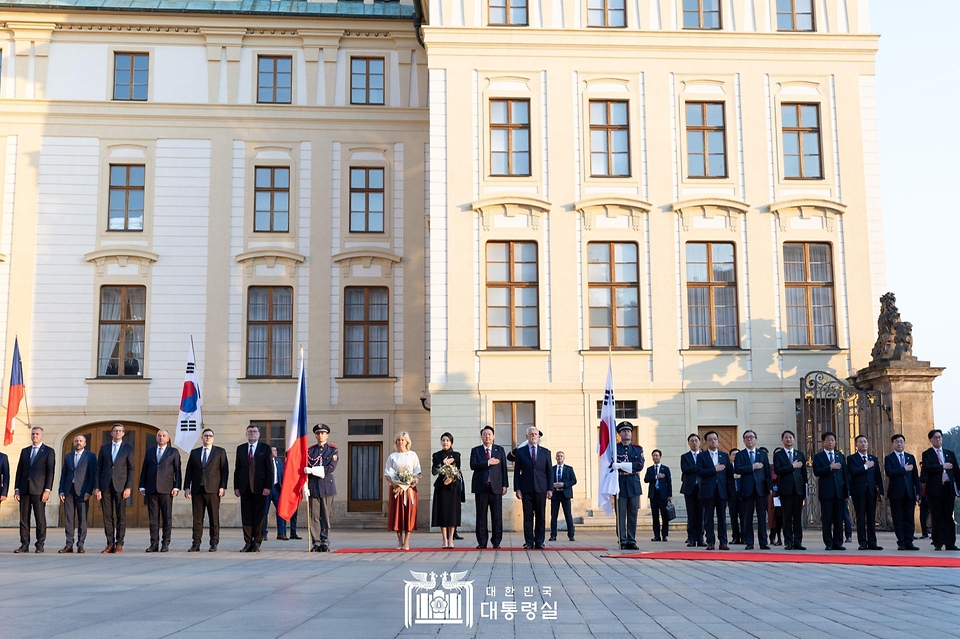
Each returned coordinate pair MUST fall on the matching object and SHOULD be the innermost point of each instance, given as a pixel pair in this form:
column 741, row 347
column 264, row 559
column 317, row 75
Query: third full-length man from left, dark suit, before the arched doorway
column 115, row 465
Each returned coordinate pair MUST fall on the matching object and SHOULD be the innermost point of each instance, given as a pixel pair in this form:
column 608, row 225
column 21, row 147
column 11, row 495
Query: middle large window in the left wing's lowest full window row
column 269, row 331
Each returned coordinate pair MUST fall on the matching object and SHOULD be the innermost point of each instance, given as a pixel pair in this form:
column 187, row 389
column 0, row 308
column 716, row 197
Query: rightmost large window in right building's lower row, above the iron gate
column 808, row 278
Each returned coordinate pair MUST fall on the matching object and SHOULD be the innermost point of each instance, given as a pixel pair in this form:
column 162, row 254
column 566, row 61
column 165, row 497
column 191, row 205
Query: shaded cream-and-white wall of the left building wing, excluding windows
column 199, row 143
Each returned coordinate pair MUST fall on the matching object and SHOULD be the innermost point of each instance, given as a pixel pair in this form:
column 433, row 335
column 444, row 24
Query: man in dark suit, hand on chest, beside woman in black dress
column 489, row 484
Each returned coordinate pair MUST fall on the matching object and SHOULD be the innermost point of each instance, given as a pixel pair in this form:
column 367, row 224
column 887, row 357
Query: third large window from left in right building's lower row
column 712, row 294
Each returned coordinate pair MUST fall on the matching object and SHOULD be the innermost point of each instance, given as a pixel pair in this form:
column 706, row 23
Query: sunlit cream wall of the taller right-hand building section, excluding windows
column 562, row 208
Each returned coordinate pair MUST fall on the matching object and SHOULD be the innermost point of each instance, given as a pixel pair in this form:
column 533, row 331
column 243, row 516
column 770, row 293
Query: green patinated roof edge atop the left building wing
column 341, row 8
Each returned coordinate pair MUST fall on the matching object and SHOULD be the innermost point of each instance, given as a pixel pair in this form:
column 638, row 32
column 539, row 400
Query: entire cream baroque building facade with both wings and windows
column 471, row 203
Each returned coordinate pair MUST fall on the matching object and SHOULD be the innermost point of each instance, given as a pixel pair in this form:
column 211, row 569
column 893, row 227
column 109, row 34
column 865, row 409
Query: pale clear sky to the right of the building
column 918, row 96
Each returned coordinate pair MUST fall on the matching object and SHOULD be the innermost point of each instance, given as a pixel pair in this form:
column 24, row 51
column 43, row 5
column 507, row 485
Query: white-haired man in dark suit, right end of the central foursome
column 533, row 486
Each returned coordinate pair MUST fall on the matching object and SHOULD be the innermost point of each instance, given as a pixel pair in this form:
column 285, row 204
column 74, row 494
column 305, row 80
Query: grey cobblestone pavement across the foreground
column 286, row 592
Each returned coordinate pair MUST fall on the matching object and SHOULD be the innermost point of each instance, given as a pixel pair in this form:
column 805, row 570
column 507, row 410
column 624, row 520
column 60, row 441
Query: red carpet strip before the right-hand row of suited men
column 853, row 559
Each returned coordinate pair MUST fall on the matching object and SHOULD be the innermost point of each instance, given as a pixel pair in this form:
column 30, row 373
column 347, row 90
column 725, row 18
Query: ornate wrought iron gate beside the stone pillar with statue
column 829, row 404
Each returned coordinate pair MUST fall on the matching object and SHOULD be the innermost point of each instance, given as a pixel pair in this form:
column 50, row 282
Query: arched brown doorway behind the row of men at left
column 141, row 437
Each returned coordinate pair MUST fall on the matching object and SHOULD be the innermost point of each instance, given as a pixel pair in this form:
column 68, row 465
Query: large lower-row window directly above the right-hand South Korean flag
column 614, row 294
